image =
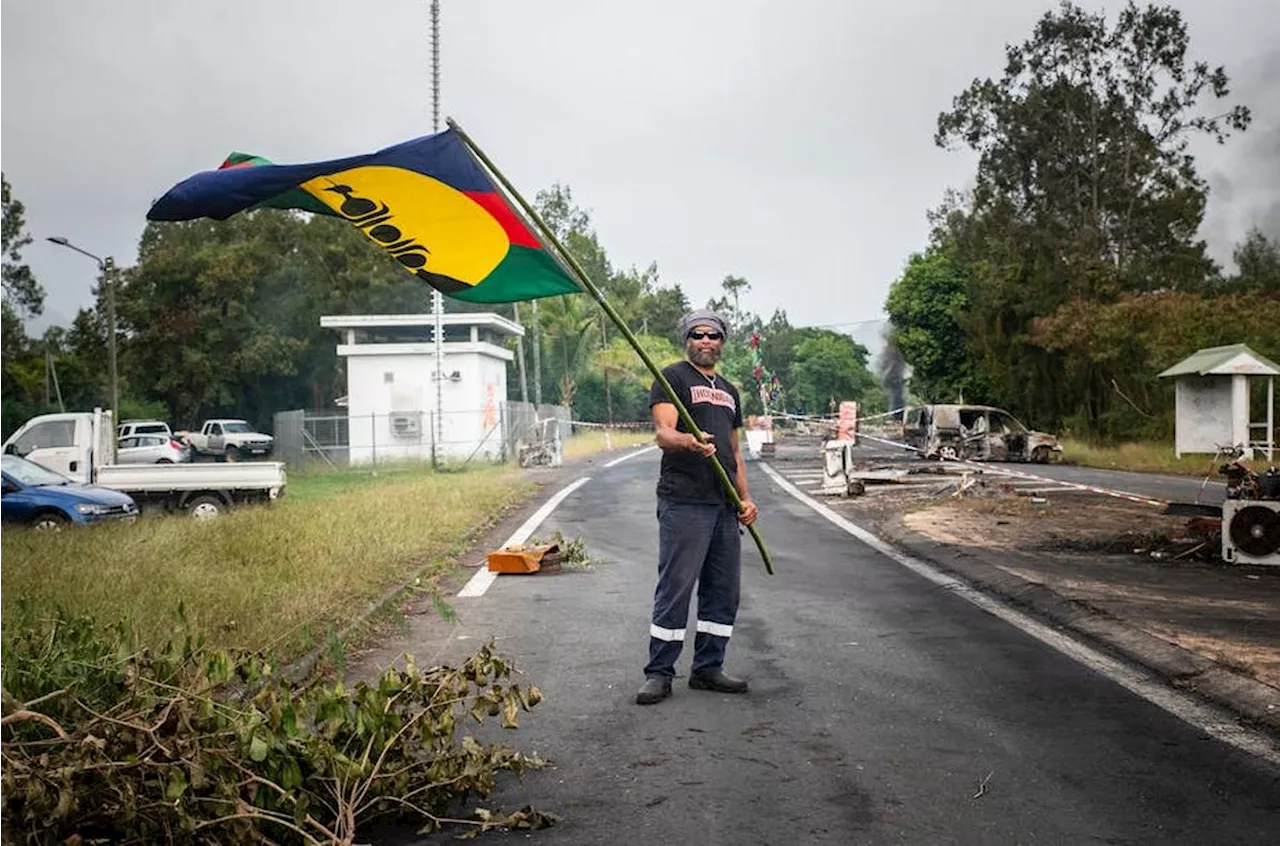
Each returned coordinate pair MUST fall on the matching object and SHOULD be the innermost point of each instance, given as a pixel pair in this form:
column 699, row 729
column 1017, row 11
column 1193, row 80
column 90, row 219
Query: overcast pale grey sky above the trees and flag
column 787, row 143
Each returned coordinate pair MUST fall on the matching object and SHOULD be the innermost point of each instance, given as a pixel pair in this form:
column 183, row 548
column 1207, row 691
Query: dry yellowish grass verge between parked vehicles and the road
column 263, row 578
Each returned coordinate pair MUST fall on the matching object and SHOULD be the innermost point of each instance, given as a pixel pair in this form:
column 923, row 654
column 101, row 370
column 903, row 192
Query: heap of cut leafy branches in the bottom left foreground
column 103, row 740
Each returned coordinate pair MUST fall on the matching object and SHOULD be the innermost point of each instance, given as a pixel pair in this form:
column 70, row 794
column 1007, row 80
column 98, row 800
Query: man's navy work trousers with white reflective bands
column 697, row 543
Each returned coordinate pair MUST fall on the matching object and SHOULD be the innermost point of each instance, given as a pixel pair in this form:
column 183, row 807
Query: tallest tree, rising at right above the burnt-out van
column 1086, row 188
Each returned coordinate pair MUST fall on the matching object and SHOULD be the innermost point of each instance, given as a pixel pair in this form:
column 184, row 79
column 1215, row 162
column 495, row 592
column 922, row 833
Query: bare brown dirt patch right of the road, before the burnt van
column 1123, row 560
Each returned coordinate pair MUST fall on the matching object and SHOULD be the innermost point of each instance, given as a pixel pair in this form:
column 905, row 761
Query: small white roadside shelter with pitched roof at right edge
column 1213, row 405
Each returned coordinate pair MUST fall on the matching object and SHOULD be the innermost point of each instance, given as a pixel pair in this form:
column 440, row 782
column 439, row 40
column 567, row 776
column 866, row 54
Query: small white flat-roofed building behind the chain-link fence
column 391, row 401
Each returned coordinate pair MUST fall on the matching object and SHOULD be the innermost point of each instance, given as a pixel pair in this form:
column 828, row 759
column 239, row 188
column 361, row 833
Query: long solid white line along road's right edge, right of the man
column 1212, row 720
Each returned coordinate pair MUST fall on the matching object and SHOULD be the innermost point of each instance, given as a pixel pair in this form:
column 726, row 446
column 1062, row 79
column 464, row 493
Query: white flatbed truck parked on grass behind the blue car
column 81, row 446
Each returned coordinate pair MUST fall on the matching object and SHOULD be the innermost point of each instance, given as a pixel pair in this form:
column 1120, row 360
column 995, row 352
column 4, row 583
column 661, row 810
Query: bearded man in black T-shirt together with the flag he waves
column 435, row 205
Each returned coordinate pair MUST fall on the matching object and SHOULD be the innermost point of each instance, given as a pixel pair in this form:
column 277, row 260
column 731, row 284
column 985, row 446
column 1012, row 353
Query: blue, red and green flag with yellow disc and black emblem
column 428, row 203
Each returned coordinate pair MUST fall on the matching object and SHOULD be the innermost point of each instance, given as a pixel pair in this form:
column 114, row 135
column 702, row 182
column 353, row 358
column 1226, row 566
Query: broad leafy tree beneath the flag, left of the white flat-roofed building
column 225, row 317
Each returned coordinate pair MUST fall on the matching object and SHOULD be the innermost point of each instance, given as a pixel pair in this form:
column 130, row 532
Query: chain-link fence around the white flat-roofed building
column 508, row 432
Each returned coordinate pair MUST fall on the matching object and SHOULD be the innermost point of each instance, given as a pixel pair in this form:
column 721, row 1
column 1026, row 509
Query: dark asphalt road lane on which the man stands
column 881, row 707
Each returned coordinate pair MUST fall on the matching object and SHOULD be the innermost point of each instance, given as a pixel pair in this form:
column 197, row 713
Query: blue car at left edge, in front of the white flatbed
column 40, row 499
